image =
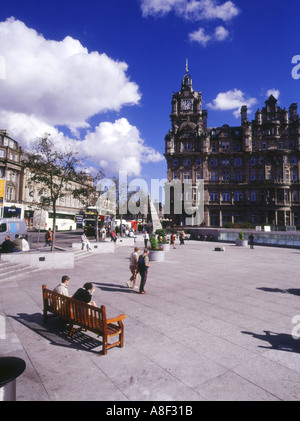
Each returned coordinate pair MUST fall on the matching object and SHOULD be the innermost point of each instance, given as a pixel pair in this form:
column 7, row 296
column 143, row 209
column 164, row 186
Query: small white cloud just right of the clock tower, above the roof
column 232, row 100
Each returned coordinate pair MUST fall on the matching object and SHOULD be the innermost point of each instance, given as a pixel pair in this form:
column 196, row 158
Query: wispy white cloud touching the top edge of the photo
column 191, row 9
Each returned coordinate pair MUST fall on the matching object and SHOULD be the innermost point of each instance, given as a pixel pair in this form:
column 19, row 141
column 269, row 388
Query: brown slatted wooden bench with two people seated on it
column 86, row 316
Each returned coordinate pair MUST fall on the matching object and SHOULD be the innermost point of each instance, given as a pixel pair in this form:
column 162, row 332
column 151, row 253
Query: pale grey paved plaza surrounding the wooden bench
column 213, row 326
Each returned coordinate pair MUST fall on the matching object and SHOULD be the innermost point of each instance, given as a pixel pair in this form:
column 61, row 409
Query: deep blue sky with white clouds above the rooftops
column 103, row 72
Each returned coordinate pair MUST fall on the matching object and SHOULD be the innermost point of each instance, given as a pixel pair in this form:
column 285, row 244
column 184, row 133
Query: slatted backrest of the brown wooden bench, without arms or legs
column 76, row 311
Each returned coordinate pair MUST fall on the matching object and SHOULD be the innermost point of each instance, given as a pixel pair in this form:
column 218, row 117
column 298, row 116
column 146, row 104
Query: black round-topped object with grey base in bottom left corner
column 10, row 369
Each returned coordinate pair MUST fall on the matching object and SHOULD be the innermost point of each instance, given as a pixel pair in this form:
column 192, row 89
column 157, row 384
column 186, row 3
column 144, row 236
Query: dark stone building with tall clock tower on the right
column 250, row 172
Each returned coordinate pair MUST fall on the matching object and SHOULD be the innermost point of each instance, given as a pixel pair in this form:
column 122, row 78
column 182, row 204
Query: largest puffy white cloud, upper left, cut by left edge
column 59, row 81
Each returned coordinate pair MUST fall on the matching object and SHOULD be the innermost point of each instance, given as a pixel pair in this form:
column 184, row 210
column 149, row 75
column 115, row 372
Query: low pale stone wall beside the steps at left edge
column 41, row 260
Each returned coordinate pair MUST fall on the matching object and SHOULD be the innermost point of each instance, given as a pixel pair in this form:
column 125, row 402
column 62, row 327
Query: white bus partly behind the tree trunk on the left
column 43, row 220
